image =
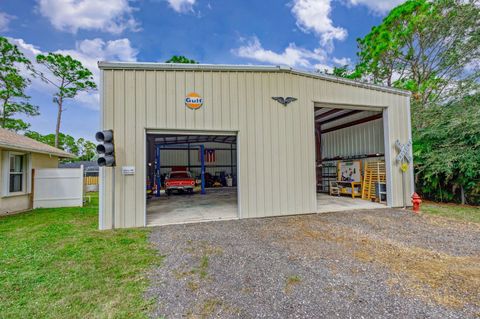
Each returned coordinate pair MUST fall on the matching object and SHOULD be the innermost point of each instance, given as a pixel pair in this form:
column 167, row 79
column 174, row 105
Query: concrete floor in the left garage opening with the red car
column 217, row 204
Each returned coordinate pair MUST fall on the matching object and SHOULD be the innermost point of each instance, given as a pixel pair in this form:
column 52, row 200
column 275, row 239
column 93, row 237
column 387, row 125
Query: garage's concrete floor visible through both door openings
column 221, row 204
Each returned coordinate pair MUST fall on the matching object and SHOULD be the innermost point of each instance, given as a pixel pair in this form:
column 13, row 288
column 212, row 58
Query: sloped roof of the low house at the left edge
column 13, row 141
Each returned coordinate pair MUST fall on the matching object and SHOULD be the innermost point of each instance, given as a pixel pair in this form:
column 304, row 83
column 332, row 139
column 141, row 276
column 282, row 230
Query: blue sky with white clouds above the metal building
column 304, row 34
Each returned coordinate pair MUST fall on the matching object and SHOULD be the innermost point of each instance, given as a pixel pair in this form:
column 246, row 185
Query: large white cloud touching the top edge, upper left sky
column 113, row 16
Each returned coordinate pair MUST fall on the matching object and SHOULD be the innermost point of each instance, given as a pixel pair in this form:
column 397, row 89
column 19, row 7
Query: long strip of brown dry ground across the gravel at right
column 450, row 281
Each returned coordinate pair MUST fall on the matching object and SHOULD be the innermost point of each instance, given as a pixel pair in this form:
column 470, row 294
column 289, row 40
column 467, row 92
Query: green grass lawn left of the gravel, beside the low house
column 54, row 263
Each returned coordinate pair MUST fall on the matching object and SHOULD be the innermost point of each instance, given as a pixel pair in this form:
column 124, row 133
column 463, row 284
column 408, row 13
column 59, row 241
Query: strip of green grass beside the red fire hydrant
column 462, row 212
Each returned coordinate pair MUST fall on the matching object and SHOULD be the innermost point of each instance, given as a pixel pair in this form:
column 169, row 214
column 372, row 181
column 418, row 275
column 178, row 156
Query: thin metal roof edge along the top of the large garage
column 252, row 68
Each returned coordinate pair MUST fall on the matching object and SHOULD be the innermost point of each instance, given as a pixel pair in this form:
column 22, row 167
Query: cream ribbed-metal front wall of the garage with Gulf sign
column 276, row 146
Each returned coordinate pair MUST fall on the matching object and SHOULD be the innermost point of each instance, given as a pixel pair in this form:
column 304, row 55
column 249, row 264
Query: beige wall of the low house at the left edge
column 16, row 203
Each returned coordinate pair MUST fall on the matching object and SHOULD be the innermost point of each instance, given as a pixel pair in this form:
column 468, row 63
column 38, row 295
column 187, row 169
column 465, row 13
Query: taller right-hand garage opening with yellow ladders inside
column 350, row 162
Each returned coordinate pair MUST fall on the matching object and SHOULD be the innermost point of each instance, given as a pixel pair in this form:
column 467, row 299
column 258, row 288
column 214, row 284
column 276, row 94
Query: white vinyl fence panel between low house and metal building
column 58, row 187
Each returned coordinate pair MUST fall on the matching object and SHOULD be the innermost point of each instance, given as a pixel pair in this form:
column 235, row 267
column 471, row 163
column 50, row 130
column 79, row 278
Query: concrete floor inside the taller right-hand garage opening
column 327, row 203
